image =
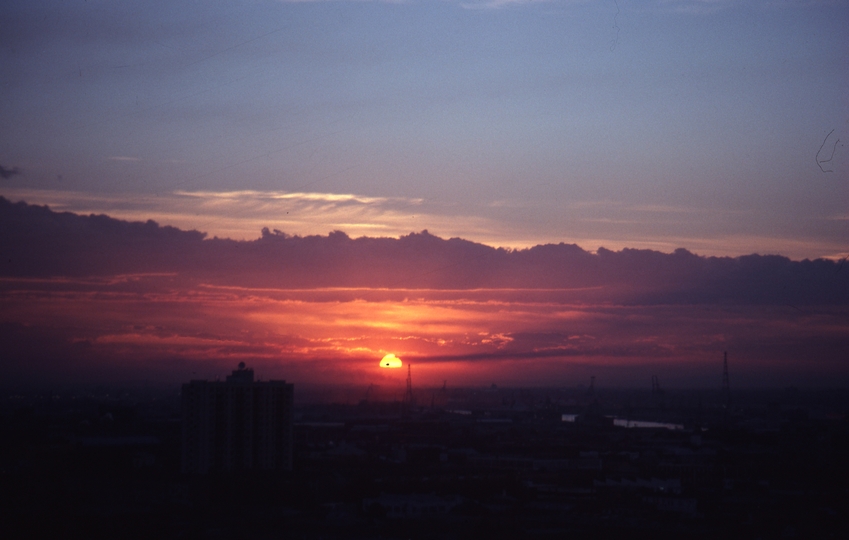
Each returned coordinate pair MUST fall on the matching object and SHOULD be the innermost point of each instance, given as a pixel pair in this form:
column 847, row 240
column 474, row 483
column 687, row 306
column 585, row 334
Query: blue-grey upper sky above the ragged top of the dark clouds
column 718, row 126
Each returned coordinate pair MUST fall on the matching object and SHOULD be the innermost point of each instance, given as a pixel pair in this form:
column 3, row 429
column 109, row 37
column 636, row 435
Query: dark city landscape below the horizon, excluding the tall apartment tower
column 460, row 463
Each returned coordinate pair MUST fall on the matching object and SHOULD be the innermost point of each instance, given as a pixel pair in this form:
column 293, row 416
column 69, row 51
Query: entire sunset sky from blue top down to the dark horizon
column 716, row 126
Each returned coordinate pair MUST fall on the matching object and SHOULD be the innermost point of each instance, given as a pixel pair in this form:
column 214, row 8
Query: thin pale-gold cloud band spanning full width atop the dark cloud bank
column 242, row 214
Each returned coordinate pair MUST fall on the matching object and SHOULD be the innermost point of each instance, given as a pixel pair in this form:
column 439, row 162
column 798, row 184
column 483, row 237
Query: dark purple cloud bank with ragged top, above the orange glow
column 37, row 242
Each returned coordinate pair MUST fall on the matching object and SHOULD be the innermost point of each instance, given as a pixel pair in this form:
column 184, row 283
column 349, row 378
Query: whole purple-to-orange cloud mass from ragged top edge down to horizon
column 92, row 296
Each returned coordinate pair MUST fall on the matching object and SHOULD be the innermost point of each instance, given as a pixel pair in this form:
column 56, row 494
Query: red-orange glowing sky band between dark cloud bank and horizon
column 333, row 336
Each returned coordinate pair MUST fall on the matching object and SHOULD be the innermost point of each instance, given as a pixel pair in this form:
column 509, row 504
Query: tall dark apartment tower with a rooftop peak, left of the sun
column 237, row 425
